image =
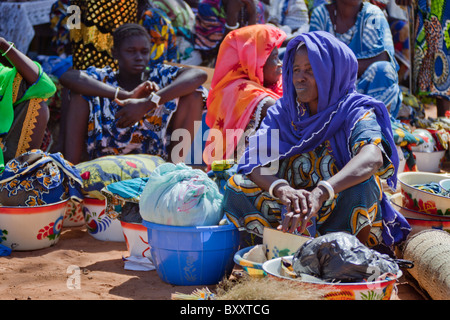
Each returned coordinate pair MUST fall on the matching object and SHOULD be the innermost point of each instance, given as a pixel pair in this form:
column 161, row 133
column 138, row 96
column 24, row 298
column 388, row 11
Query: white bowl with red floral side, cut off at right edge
column 420, row 200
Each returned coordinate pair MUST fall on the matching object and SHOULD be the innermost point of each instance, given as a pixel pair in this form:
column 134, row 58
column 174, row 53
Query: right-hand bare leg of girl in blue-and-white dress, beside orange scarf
column 189, row 110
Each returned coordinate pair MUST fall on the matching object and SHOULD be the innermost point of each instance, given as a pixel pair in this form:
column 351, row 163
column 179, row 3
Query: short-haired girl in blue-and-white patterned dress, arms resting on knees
column 118, row 112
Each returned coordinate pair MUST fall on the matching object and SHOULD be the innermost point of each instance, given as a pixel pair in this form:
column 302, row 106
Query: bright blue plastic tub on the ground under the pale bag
column 190, row 256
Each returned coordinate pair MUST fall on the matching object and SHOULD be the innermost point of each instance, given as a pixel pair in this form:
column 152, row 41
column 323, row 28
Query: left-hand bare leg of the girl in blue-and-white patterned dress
column 76, row 128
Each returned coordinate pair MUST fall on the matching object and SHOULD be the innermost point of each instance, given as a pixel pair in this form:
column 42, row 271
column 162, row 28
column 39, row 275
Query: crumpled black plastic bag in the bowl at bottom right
column 341, row 257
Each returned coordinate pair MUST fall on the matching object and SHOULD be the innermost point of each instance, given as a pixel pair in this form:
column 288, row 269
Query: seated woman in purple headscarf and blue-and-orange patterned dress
column 315, row 164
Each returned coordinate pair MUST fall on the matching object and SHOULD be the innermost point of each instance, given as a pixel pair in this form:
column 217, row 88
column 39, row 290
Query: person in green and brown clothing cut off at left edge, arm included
column 24, row 88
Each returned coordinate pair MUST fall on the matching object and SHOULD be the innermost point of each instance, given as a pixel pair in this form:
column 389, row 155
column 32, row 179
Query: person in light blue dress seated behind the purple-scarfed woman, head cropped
column 365, row 29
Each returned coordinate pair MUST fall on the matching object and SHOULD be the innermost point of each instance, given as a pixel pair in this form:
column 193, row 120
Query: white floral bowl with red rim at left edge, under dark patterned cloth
column 31, row 228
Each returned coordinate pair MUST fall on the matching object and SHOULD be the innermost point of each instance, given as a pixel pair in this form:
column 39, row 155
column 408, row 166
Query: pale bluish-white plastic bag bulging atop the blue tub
column 178, row 195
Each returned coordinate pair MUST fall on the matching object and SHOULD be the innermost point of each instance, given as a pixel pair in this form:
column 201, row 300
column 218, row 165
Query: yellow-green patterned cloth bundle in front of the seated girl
column 99, row 173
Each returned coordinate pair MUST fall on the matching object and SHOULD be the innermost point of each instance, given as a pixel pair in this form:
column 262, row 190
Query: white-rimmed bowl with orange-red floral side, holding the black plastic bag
column 374, row 290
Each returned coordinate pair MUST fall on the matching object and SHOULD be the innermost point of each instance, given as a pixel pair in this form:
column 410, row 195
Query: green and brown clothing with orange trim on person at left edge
column 19, row 105
